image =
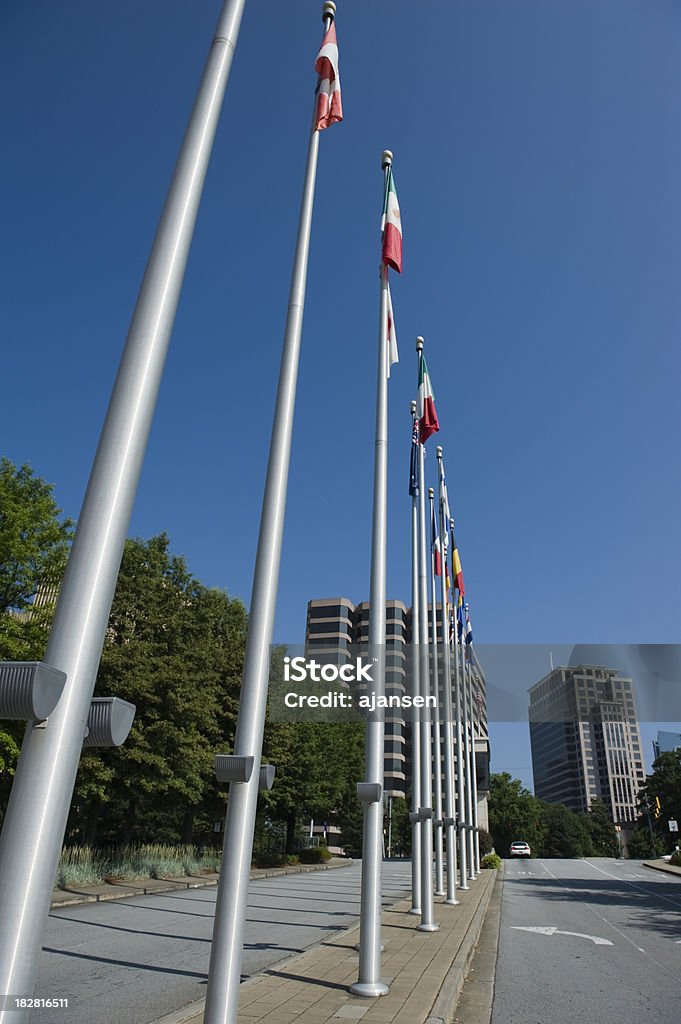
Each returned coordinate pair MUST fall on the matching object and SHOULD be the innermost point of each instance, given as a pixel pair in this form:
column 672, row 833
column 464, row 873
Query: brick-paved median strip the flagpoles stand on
column 425, row 971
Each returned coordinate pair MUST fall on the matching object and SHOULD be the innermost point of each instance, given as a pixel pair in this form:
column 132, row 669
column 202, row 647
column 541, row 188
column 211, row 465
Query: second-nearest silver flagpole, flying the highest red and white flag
column 228, row 944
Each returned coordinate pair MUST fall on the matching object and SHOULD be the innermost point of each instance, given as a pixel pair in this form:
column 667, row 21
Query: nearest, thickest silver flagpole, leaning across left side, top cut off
column 41, row 795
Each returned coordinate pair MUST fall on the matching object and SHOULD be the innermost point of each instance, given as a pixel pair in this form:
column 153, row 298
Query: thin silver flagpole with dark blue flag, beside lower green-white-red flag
column 416, row 689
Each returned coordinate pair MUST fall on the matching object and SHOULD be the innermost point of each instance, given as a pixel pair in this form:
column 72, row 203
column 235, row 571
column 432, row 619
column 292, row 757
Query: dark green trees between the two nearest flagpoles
column 175, row 649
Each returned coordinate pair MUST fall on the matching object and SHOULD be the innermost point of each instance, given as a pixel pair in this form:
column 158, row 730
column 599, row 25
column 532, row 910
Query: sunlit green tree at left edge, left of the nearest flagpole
column 34, row 545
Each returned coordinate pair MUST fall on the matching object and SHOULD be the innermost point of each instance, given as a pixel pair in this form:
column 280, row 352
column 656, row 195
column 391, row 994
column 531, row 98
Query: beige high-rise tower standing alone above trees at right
column 586, row 742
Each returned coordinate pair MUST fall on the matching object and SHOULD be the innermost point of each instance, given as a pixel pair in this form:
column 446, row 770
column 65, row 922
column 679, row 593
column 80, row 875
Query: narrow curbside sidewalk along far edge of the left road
column 148, row 887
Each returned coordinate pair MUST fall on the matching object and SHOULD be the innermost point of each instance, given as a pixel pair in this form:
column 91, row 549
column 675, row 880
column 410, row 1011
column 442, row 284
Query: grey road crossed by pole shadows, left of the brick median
column 134, row 961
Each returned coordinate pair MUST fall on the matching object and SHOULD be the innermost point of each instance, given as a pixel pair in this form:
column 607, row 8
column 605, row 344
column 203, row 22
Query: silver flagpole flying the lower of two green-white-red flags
column 427, row 809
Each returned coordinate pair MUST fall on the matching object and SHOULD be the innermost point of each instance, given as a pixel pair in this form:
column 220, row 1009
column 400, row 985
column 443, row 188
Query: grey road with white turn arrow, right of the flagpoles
column 620, row 962
